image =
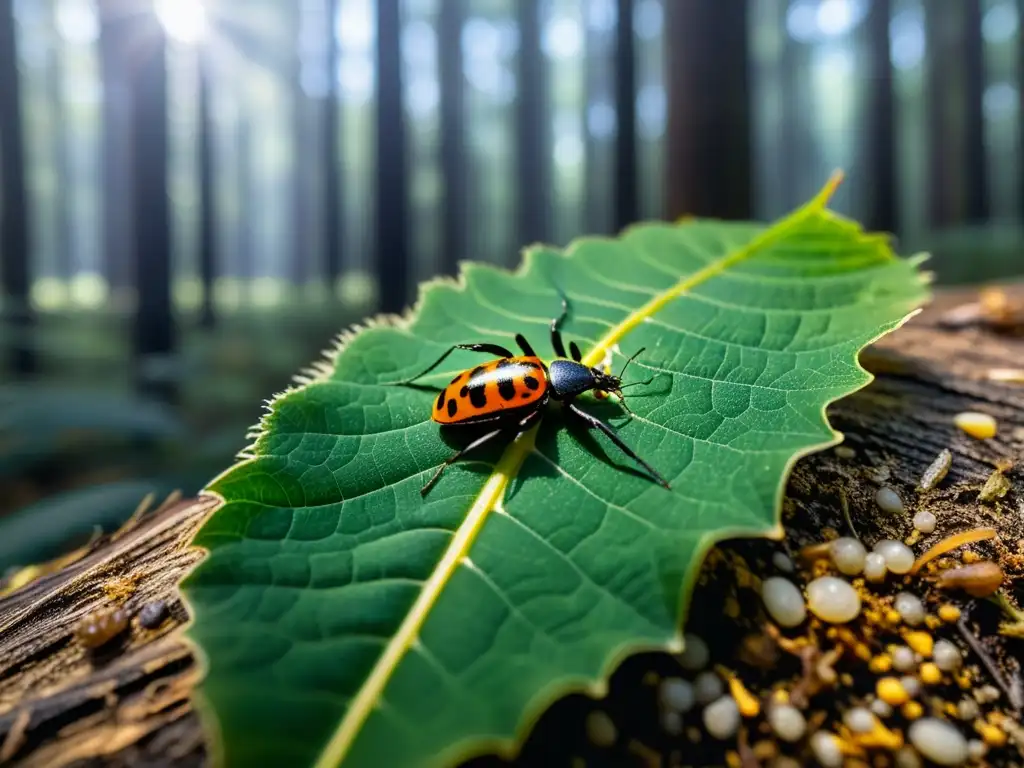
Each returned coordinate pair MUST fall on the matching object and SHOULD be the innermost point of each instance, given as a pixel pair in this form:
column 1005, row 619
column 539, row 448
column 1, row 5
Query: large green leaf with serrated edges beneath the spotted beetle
column 346, row 620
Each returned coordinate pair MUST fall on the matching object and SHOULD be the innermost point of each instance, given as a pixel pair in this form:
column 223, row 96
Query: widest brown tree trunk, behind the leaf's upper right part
column 709, row 135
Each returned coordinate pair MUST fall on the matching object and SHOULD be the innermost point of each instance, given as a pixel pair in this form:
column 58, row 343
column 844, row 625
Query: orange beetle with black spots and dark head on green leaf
column 513, row 392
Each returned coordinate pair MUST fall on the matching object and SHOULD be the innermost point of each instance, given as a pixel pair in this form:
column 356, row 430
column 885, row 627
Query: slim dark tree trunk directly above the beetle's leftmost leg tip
column 393, row 176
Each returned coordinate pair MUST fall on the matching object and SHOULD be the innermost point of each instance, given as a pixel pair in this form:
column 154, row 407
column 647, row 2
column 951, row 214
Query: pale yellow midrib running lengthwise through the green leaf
column 493, row 493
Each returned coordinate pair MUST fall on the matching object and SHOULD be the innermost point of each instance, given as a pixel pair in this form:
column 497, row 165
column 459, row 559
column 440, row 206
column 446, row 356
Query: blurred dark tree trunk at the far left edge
column 15, row 238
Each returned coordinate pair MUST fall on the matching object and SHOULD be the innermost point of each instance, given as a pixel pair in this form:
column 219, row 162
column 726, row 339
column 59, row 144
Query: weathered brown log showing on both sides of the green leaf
column 60, row 706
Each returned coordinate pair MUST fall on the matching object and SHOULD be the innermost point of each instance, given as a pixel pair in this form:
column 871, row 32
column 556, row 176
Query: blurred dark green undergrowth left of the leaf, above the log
column 80, row 449
